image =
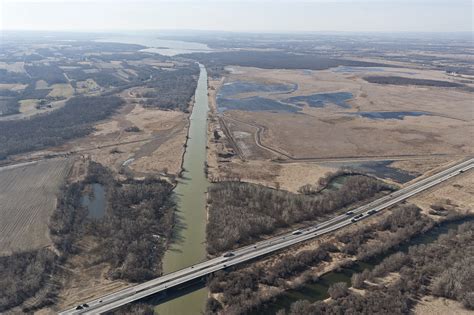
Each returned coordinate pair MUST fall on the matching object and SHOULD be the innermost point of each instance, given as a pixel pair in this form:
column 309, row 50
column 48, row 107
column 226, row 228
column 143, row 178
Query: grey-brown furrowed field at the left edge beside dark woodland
column 27, row 198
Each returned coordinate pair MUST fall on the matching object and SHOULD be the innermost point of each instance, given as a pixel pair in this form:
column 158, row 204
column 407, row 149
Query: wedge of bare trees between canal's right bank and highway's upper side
column 240, row 213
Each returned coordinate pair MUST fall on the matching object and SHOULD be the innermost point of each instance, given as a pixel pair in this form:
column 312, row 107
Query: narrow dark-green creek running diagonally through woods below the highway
column 318, row 290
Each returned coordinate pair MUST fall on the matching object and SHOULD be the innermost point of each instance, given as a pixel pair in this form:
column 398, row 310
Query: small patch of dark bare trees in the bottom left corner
column 23, row 275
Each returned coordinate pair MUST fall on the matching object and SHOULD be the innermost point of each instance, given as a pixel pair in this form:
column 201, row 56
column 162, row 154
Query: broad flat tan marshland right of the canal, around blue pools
column 333, row 131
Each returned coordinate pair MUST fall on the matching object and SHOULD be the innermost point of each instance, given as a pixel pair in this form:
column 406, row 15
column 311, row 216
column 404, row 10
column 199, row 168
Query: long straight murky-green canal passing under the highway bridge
column 188, row 243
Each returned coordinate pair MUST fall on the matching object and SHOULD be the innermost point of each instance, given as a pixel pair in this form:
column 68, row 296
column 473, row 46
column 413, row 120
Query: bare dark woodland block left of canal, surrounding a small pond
column 133, row 233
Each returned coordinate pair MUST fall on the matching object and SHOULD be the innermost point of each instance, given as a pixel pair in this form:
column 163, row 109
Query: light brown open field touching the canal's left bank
column 152, row 149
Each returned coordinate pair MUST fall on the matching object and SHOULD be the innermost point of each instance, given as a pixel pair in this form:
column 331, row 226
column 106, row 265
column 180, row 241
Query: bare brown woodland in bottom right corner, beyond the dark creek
column 442, row 268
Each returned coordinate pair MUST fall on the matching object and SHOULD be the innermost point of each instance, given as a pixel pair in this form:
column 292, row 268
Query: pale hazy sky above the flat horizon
column 244, row 15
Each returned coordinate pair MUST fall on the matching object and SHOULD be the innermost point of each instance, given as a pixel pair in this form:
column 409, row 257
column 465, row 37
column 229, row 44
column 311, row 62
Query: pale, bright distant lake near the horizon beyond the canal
column 160, row 46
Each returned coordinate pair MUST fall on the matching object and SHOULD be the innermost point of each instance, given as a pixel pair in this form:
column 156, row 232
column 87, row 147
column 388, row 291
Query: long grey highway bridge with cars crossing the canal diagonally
column 247, row 253
